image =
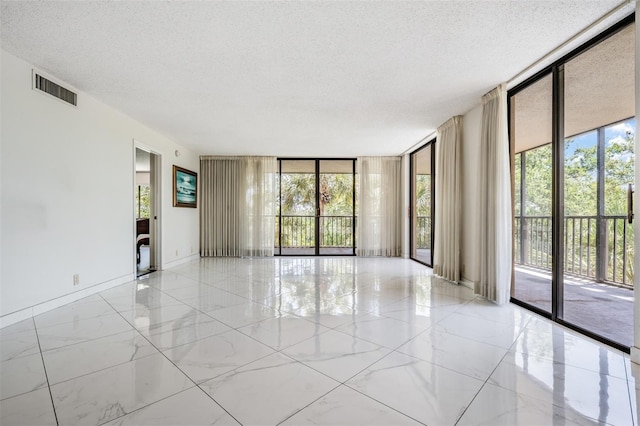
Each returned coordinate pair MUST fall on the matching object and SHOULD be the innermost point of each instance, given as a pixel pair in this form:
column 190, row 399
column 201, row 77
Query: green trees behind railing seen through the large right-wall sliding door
column 580, row 202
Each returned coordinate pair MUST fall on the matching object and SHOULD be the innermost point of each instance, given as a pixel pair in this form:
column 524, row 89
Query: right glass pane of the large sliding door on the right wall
column 598, row 167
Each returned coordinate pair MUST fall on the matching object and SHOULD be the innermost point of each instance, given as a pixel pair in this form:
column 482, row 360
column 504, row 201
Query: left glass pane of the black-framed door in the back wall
column 298, row 206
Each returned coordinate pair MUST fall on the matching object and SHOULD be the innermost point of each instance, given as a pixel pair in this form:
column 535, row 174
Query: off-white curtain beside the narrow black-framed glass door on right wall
column 448, row 200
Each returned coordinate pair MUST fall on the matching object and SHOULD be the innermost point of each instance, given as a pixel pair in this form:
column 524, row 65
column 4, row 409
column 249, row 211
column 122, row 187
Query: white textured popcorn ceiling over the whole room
column 291, row 78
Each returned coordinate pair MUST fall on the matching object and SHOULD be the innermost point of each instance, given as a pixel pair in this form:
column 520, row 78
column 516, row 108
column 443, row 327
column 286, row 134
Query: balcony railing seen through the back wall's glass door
column 299, row 231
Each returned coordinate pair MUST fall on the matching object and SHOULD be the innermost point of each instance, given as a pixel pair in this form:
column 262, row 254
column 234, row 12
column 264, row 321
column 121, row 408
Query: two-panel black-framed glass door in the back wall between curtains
column 316, row 207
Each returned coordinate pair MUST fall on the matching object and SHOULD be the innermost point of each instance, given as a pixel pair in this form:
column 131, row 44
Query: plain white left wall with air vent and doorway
column 67, row 193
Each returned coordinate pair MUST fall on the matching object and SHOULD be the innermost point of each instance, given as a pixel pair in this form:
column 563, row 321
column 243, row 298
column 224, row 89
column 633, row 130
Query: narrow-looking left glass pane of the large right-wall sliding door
column 531, row 137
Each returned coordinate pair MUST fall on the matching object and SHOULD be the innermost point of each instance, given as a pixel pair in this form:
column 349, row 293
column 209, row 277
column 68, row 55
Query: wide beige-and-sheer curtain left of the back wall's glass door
column 237, row 213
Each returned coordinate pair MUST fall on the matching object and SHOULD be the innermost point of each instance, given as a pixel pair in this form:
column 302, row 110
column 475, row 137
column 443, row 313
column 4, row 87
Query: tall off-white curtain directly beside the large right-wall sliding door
column 494, row 195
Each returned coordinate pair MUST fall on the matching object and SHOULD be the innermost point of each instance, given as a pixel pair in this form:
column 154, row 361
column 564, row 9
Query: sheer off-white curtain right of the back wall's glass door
column 378, row 230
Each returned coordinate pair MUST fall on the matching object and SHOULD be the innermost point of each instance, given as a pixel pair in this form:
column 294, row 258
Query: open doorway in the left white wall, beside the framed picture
column 147, row 207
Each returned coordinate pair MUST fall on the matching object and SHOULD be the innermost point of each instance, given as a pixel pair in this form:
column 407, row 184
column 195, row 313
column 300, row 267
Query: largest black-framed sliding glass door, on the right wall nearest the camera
column 572, row 137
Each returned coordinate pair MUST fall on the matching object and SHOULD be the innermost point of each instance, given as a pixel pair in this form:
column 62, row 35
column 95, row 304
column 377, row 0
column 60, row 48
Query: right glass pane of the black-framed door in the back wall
column 336, row 207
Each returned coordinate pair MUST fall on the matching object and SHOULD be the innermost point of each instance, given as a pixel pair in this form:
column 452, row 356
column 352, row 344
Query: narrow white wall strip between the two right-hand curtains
column 471, row 129
